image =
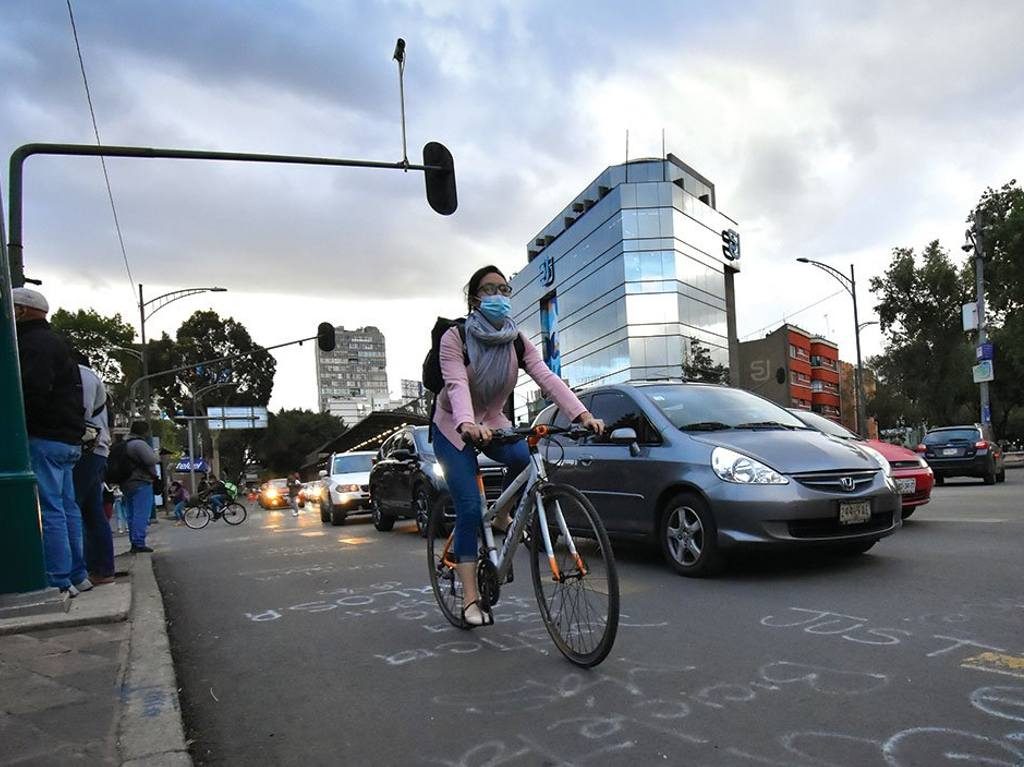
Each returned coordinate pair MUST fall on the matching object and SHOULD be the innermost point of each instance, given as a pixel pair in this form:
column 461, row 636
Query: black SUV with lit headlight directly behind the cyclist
column 407, row 481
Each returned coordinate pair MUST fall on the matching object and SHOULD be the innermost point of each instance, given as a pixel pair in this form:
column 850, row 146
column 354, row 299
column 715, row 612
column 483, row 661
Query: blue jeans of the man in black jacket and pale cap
column 54, row 464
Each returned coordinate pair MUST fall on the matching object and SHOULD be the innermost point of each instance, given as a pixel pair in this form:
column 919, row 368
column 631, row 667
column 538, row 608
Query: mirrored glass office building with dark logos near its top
column 618, row 285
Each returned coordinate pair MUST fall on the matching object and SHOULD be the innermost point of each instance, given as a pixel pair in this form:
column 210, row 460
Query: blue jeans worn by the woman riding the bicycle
column 460, row 476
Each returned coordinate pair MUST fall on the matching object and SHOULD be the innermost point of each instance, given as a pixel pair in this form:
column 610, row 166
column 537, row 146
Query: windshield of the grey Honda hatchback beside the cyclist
column 694, row 408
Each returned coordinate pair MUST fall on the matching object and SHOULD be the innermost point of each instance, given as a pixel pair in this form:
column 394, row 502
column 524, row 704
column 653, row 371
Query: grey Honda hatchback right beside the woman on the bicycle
column 705, row 470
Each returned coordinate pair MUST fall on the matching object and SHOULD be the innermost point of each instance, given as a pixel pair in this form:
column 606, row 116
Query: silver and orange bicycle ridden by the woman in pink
column 572, row 563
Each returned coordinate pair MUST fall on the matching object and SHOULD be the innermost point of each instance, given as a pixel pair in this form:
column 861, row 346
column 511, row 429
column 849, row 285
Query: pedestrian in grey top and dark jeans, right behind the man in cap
column 98, row 542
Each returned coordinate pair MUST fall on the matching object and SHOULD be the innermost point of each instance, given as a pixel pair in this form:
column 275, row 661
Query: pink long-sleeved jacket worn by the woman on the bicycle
column 455, row 404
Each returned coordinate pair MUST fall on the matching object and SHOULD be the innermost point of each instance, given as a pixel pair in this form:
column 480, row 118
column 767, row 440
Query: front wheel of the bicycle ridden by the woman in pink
column 577, row 592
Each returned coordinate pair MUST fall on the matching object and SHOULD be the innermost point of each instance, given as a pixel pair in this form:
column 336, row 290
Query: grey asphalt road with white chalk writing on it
column 302, row 644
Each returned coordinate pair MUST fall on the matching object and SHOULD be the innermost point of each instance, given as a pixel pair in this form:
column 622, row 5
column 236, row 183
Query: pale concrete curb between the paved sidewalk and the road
column 151, row 732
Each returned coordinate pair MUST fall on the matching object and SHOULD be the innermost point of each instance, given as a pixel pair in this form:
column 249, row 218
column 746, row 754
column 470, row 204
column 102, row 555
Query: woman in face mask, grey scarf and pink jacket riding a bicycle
column 471, row 406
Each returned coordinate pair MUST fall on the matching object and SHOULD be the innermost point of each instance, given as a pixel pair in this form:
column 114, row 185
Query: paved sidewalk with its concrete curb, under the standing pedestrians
column 94, row 686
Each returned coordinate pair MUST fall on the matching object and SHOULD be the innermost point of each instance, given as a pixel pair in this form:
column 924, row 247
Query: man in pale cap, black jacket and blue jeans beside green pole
column 54, row 414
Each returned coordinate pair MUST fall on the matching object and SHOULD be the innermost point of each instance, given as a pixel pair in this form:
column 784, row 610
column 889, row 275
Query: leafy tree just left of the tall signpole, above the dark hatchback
column 926, row 366
